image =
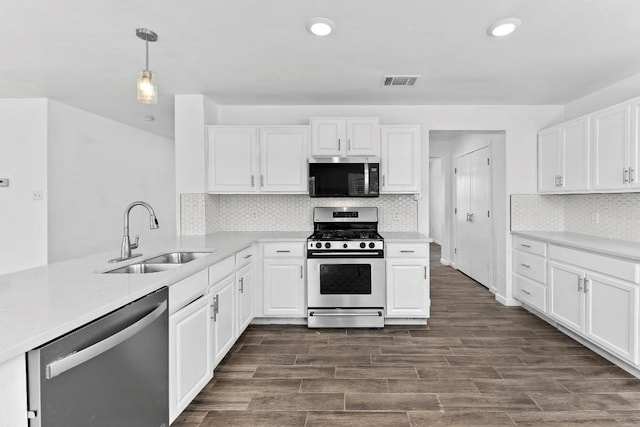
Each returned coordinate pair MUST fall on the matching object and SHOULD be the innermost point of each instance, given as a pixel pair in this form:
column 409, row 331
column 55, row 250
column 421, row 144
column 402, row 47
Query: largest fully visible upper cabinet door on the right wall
column 610, row 139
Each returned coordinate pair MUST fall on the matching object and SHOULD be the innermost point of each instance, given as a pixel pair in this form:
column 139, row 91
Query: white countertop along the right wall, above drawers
column 612, row 247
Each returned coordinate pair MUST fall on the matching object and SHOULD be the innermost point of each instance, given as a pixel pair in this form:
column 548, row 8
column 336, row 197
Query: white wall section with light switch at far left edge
column 23, row 159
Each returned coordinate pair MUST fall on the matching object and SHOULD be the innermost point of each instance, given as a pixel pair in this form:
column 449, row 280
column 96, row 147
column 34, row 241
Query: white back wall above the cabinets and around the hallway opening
column 521, row 124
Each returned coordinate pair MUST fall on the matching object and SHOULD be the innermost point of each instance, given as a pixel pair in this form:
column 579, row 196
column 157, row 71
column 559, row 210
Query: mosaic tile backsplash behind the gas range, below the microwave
column 206, row 213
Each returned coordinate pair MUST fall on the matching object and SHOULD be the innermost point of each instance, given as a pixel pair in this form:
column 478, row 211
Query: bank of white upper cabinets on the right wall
column 596, row 153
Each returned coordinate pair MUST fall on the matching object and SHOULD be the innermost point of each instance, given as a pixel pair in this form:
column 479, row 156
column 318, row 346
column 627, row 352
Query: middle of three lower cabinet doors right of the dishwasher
column 224, row 318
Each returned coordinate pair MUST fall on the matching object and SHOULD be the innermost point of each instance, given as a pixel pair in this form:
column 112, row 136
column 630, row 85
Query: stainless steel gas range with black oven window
column 345, row 269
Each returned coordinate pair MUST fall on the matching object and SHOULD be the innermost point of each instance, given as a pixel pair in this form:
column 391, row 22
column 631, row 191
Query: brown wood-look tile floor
column 477, row 363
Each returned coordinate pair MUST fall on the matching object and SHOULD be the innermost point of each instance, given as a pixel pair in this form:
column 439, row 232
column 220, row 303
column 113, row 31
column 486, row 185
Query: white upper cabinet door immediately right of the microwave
column 400, row 159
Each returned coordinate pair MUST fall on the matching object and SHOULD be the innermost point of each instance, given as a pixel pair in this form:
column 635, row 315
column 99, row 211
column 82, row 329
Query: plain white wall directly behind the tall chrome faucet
column 96, row 167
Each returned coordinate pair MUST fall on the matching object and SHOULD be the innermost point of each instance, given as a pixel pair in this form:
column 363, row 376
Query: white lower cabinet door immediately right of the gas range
column 407, row 288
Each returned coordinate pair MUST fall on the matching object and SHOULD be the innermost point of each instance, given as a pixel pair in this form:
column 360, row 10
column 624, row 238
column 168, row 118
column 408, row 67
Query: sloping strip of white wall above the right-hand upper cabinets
column 605, row 97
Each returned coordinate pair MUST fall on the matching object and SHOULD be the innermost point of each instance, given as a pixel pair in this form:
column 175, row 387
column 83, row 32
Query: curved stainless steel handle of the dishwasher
column 60, row 366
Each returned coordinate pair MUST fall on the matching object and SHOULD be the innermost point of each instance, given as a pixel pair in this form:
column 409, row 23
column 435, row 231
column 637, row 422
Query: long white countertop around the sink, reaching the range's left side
column 43, row 303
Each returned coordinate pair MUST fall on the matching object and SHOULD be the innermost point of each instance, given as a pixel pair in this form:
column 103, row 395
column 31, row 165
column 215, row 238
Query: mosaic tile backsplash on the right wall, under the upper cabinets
column 616, row 216
